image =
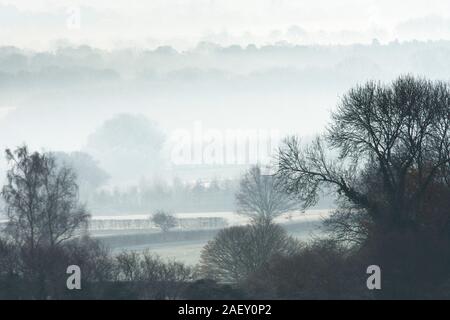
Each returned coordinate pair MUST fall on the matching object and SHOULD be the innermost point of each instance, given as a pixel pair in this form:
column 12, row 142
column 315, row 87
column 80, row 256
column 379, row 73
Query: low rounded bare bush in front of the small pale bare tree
column 238, row 251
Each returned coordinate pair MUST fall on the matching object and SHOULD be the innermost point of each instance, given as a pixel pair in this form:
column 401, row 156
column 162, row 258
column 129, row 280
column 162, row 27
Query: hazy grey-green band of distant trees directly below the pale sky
column 309, row 65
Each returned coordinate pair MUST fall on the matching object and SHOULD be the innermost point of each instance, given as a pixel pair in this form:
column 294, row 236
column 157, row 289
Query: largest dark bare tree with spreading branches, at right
column 393, row 143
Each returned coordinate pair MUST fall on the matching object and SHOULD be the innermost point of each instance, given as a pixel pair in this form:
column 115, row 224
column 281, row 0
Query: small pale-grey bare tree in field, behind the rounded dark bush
column 261, row 197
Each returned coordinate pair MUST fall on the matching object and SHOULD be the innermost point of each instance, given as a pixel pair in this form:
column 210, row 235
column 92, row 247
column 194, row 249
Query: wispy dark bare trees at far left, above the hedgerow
column 41, row 200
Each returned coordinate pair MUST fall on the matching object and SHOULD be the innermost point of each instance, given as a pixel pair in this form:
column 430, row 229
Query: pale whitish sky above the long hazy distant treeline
column 39, row 24
